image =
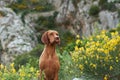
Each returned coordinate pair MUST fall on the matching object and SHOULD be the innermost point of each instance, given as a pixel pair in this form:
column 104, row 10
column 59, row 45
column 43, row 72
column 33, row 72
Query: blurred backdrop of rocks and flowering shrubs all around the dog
column 80, row 23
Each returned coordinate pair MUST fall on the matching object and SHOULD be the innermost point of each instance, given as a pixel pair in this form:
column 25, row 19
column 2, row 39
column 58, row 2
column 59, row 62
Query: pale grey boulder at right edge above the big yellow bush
column 108, row 19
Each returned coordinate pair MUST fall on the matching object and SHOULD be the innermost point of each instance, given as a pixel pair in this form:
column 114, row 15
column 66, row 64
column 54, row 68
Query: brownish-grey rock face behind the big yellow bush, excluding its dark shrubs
column 76, row 15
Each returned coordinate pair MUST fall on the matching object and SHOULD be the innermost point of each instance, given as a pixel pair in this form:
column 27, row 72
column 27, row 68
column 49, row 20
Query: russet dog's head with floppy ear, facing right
column 50, row 37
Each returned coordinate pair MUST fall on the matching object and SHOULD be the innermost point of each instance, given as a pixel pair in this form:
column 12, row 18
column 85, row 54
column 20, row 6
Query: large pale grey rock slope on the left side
column 15, row 37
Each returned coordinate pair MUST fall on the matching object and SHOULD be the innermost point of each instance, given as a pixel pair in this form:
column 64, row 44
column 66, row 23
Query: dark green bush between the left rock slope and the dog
column 31, row 57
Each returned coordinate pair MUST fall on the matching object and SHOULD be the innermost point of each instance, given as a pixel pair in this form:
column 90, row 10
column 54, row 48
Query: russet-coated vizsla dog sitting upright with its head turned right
column 49, row 62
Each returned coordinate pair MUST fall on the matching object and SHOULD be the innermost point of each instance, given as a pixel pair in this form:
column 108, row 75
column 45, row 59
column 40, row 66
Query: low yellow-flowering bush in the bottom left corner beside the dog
column 24, row 73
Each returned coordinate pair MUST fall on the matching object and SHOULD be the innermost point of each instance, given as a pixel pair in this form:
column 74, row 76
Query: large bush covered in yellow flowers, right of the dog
column 98, row 55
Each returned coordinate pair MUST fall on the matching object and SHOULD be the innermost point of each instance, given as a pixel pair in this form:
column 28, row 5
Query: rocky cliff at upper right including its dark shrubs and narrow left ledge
column 83, row 17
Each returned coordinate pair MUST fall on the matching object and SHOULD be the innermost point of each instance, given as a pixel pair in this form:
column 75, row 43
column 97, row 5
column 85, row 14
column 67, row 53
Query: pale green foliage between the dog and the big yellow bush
column 67, row 69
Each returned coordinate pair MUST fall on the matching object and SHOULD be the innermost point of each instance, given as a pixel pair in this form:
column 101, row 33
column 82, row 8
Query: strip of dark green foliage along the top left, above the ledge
column 32, row 5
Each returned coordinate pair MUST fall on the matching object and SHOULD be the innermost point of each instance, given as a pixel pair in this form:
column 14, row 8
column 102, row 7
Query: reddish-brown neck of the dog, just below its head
column 50, row 49
